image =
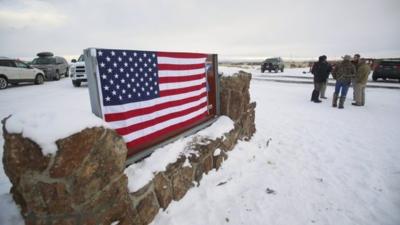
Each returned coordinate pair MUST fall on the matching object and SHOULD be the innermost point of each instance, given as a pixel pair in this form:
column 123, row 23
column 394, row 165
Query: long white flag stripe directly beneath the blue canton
column 148, row 103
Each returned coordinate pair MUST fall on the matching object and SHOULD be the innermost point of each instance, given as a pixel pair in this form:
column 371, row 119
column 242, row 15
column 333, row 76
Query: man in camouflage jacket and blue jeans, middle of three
column 343, row 73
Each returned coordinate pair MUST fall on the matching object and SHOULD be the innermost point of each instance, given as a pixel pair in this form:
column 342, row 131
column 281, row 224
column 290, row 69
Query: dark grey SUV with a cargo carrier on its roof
column 53, row 66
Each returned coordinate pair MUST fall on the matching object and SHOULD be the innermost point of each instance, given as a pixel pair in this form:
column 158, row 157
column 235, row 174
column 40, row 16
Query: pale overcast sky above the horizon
column 230, row 28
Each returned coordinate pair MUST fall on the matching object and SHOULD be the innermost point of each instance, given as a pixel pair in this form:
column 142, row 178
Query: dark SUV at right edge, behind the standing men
column 387, row 69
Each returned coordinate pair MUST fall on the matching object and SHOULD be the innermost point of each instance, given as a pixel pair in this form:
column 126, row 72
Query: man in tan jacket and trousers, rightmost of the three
column 361, row 78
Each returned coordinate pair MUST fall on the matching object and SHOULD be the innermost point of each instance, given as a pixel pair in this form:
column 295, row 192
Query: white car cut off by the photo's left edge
column 14, row 71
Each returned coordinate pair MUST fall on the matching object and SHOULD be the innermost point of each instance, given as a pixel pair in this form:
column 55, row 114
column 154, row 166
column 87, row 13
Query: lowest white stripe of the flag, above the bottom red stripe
column 160, row 126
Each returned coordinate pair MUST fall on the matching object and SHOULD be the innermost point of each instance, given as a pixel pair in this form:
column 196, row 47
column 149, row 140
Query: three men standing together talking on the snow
column 350, row 71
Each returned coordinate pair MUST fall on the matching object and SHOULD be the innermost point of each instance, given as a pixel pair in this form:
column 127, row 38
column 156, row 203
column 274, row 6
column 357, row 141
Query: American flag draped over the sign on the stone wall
column 146, row 94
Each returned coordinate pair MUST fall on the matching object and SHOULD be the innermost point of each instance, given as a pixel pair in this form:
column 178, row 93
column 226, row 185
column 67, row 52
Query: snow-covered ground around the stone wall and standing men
column 307, row 163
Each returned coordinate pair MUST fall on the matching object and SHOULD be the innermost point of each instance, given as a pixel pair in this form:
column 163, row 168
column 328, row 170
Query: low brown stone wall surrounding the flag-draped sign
column 84, row 182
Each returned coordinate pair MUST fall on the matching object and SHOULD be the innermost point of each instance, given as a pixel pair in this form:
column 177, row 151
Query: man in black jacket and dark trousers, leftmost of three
column 321, row 71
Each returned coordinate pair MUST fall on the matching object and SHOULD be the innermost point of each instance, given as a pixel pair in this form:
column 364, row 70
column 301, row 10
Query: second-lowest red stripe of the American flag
column 139, row 126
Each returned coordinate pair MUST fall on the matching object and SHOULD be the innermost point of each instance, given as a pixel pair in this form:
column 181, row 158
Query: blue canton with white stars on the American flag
column 127, row 76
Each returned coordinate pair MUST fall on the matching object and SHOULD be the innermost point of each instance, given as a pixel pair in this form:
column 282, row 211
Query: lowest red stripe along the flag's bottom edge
column 142, row 140
